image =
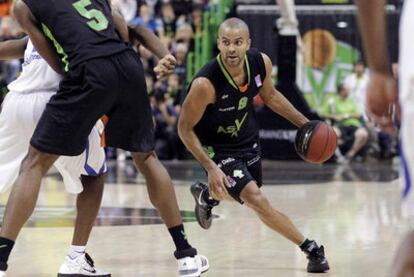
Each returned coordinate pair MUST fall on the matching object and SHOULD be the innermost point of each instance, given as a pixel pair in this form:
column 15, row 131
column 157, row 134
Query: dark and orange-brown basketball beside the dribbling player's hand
column 315, row 142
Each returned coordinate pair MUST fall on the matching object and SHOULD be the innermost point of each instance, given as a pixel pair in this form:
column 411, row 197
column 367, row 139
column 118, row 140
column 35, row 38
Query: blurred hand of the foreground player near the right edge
column 382, row 100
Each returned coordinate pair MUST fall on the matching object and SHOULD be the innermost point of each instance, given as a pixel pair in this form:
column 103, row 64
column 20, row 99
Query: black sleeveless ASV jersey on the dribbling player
column 229, row 124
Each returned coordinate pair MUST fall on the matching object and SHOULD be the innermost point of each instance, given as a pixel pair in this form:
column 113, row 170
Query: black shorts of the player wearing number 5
column 111, row 86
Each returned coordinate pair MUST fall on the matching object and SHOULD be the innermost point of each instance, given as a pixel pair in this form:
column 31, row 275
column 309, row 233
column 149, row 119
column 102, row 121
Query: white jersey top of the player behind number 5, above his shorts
column 36, row 76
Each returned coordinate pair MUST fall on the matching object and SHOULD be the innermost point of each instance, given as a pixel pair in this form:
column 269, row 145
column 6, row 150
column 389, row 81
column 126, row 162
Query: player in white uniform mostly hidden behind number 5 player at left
column 83, row 174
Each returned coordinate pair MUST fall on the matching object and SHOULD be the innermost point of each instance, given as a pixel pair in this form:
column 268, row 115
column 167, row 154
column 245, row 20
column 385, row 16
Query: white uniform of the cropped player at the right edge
column 406, row 89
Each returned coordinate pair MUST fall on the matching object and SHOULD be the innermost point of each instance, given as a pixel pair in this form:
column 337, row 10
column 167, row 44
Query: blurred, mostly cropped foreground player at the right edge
column 383, row 99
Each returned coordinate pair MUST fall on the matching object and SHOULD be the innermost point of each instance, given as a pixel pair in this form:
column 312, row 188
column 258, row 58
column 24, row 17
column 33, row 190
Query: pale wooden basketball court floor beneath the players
column 354, row 210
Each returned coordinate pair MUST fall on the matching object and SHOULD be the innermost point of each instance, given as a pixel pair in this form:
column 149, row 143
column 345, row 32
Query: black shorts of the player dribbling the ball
column 240, row 169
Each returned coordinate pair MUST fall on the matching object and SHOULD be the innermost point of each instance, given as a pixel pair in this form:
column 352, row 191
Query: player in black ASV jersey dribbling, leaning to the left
column 217, row 124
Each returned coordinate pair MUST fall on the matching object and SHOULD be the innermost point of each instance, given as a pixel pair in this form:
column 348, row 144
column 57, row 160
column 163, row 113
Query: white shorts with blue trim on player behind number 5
column 18, row 119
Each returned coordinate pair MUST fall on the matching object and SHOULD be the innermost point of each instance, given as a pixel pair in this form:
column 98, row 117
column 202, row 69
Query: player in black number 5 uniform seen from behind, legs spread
column 102, row 76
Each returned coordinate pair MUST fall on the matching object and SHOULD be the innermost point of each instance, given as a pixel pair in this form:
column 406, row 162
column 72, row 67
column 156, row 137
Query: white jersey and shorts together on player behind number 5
column 22, row 109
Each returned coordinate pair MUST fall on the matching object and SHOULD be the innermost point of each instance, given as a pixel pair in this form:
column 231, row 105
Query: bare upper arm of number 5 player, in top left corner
column 29, row 24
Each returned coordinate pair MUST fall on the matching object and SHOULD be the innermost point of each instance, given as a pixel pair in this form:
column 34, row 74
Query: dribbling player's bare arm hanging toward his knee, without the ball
column 201, row 94
